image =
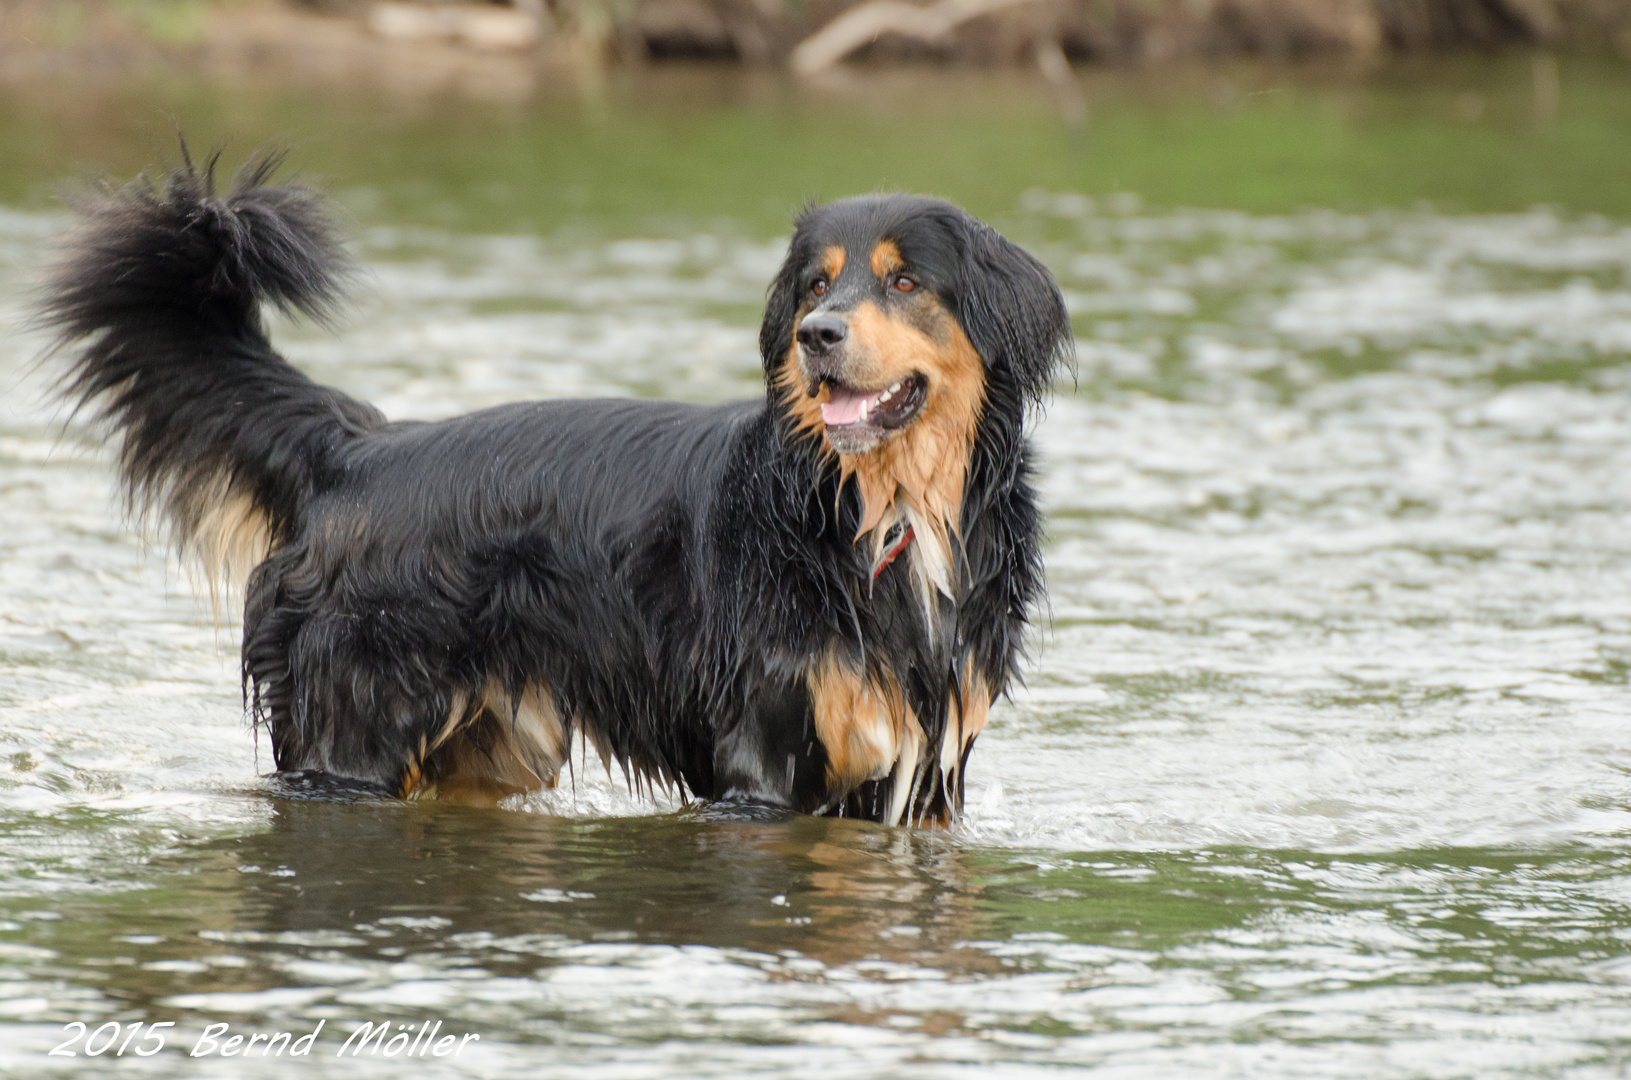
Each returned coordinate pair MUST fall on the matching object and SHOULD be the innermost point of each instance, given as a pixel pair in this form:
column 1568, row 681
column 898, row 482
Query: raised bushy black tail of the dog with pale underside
column 157, row 303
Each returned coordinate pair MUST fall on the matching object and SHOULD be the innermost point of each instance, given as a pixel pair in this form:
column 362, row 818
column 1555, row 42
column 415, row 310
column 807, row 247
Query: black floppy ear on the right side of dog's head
column 1012, row 309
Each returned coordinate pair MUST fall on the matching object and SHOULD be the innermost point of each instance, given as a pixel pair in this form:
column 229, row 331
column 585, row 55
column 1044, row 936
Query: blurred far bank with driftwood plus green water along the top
column 630, row 112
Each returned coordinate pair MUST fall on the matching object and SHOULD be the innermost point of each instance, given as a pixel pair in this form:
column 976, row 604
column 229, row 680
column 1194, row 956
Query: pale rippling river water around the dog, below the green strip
column 1322, row 768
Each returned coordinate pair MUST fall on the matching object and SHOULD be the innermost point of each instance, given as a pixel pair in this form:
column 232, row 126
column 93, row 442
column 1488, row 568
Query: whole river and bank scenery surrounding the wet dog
column 1322, row 763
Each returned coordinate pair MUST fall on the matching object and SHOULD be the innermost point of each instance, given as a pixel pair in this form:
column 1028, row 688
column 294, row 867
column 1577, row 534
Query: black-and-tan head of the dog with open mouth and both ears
column 895, row 312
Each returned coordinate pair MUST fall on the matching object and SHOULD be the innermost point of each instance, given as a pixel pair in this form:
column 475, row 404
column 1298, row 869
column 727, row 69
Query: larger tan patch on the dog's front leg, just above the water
column 857, row 722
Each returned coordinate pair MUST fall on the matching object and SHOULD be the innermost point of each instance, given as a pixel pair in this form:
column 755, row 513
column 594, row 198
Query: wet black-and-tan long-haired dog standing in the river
column 805, row 603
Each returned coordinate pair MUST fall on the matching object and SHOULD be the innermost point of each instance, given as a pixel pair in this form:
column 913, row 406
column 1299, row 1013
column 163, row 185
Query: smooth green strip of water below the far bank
column 671, row 146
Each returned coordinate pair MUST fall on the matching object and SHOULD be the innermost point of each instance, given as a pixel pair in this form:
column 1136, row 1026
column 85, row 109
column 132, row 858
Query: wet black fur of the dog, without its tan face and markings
column 668, row 572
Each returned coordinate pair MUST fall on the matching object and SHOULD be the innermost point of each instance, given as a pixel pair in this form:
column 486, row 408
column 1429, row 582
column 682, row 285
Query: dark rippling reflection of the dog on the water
column 831, row 890
